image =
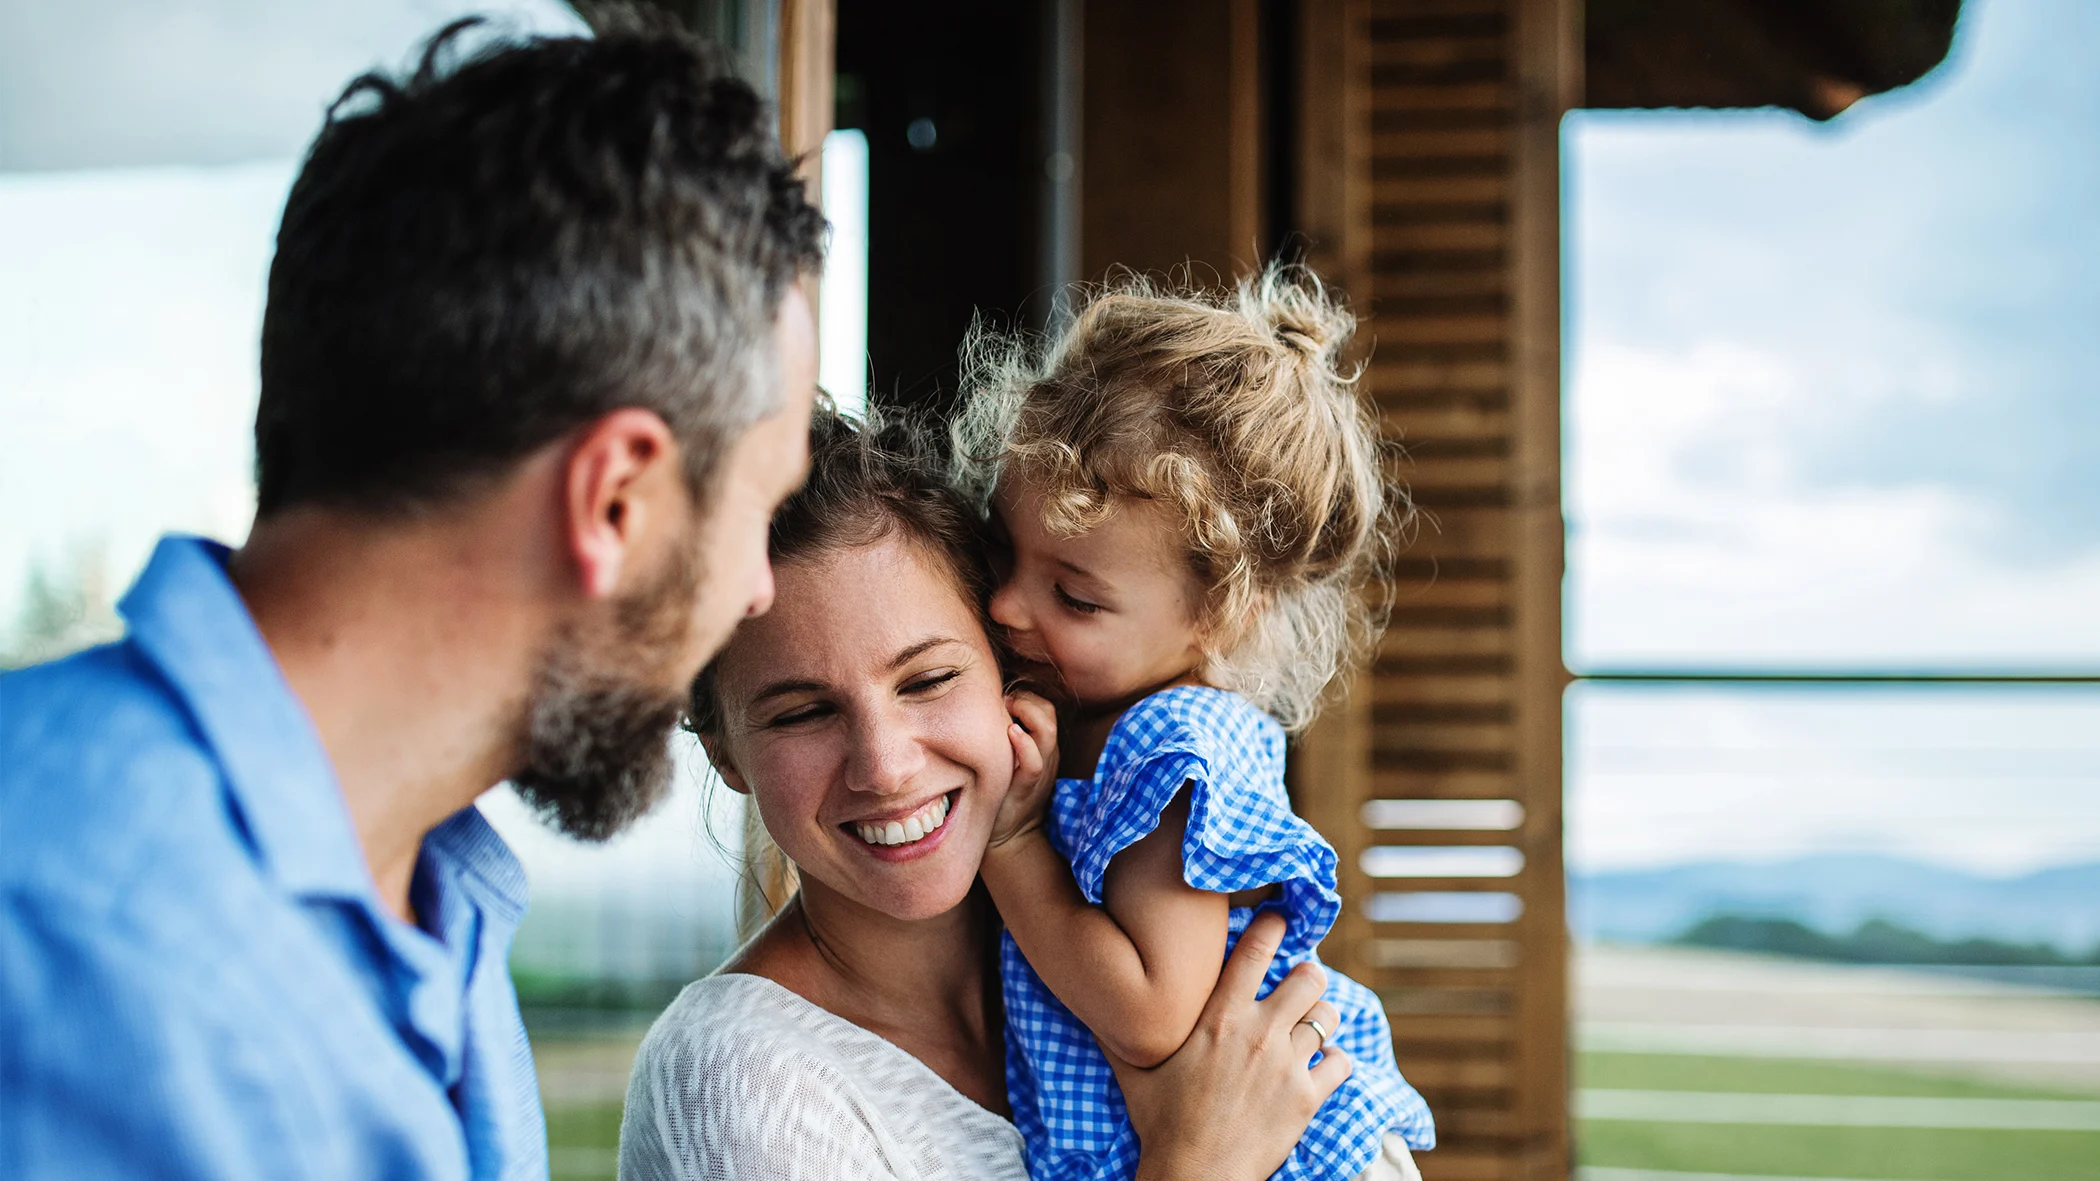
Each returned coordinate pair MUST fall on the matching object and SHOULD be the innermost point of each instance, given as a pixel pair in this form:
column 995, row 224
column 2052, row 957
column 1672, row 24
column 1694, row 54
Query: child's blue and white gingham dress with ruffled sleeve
column 1242, row 835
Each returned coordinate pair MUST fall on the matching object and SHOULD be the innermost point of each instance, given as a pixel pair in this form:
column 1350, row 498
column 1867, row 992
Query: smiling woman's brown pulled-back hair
column 868, row 482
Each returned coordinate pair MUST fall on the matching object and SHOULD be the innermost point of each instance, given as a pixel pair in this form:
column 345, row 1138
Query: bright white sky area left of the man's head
column 129, row 333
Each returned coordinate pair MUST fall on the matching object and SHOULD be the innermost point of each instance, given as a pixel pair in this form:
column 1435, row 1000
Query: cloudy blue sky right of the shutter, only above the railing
column 1832, row 390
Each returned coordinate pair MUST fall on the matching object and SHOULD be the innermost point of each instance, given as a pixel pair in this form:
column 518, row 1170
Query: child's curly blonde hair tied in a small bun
column 1234, row 409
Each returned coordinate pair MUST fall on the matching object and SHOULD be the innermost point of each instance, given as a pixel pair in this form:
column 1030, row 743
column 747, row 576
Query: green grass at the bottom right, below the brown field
column 1883, row 1155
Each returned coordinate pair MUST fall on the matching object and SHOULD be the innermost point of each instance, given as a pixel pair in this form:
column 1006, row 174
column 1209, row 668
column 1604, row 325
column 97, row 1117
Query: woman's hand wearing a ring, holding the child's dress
column 1238, row 1096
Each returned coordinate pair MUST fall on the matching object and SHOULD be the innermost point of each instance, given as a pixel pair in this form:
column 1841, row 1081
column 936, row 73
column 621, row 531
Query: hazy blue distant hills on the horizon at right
column 1836, row 894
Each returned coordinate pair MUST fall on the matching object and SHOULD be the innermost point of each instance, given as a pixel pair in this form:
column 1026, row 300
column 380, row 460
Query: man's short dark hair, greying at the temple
column 511, row 243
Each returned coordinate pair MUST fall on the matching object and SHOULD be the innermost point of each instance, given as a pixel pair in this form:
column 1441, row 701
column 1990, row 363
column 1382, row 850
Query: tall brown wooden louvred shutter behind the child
column 1431, row 188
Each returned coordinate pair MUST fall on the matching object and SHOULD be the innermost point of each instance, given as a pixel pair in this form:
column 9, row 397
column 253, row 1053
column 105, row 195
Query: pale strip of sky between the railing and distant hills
column 1988, row 781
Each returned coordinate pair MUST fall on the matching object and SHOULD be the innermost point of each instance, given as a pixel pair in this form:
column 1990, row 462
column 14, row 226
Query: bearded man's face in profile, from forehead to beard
column 610, row 692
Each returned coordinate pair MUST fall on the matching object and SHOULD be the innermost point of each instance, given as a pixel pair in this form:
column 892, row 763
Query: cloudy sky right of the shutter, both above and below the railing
column 1832, row 405
